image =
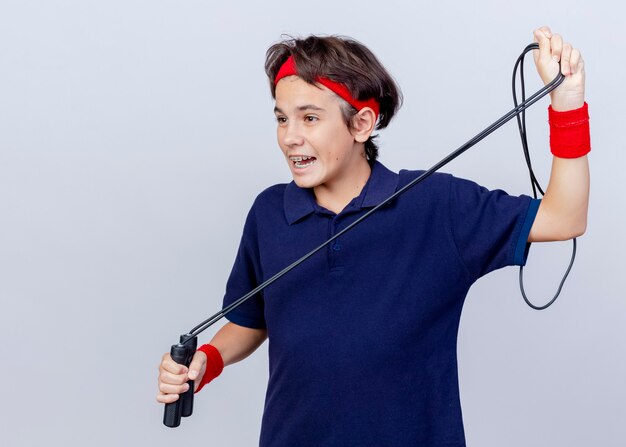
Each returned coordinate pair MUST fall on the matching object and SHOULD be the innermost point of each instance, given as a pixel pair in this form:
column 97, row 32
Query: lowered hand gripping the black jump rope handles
column 173, row 376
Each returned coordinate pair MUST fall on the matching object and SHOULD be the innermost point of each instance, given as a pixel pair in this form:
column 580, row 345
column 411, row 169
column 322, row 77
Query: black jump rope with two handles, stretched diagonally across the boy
column 183, row 351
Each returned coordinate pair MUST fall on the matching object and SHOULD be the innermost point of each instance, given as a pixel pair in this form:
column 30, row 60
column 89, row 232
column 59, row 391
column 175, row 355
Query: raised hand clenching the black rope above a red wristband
column 571, row 93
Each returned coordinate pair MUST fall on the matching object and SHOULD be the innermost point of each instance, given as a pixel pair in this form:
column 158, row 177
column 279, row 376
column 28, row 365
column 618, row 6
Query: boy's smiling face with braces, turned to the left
column 317, row 144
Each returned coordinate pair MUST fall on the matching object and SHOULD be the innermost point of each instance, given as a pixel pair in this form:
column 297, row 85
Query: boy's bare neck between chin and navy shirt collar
column 336, row 196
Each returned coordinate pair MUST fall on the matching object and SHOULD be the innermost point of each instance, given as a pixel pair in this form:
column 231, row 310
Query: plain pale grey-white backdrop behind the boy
column 134, row 136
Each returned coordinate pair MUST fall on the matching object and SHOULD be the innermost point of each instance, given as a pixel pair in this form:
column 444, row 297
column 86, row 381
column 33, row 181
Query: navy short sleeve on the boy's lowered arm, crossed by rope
column 246, row 275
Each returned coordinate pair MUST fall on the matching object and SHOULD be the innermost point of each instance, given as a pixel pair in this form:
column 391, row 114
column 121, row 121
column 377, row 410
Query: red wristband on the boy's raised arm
column 569, row 132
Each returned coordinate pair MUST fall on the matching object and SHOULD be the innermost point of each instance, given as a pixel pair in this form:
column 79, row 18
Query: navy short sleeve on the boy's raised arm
column 490, row 228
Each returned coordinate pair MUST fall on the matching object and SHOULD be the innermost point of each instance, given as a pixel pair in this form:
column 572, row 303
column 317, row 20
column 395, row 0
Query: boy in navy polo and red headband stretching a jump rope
column 362, row 336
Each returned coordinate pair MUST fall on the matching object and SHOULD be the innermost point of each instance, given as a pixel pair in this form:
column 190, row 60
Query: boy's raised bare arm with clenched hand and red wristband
column 563, row 211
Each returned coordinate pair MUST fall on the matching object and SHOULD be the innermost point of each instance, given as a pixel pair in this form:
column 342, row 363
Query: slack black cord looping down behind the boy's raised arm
column 521, row 124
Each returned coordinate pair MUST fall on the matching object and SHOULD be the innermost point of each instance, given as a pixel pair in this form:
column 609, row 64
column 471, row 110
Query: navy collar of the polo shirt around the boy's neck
column 300, row 202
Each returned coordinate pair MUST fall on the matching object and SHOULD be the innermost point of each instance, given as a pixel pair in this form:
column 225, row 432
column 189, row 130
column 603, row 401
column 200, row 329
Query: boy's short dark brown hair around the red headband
column 344, row 60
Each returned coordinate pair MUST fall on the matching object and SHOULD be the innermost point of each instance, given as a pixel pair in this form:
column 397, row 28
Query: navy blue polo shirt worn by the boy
column 362, row 336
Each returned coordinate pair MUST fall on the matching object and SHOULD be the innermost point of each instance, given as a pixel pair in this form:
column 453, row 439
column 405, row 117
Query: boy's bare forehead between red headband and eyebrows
column 292, row 92
